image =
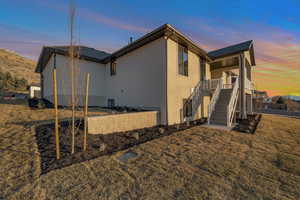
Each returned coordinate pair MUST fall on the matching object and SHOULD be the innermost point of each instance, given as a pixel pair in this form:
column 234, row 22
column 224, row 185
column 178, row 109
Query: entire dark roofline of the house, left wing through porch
column 165, row 30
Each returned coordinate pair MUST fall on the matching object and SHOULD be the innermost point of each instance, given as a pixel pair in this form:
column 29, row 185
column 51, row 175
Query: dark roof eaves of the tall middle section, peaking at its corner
column 164, row 30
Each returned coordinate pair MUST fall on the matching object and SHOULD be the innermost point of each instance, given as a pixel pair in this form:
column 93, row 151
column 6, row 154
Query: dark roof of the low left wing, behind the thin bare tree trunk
column 86, row 53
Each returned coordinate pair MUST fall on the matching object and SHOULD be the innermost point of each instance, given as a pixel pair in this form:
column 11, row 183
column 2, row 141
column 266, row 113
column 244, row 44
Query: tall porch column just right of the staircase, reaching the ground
column 242, row 79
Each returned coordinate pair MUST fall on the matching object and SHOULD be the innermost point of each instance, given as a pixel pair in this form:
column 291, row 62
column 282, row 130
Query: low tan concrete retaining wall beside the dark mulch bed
column 122, row 122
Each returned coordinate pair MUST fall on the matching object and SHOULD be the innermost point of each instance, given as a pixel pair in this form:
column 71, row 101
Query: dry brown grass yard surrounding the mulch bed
column 197, row 163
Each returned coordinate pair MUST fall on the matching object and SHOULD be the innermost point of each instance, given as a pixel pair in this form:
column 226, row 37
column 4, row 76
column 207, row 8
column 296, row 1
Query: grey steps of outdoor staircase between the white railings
column 219, row 114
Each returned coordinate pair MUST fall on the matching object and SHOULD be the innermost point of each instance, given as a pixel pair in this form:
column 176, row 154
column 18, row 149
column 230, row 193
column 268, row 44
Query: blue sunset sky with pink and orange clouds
column 274, row 26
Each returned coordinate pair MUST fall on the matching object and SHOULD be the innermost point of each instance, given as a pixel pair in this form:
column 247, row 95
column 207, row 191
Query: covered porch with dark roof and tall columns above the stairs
column 231, row 64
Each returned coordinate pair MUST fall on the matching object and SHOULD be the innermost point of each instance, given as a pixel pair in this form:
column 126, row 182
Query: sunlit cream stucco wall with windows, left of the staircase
column 179, row 86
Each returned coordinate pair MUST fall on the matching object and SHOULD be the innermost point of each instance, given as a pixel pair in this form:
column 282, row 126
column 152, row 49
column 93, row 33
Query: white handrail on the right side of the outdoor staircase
column 232, row 103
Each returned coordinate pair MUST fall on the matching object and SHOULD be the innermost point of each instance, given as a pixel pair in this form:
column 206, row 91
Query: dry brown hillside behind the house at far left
column 18, row 66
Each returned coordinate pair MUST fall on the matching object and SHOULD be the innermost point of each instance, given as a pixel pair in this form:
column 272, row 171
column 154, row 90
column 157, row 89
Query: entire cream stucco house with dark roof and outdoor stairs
column 163, row 70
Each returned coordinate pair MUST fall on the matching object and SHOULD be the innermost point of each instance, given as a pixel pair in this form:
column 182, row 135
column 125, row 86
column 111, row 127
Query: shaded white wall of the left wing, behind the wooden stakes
column 97, row 81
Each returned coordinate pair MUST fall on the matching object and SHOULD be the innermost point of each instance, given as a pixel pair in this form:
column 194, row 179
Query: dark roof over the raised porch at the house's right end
column 234, row 49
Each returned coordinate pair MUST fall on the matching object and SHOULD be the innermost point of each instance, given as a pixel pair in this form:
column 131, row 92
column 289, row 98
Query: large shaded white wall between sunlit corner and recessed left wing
column 140, row 78
